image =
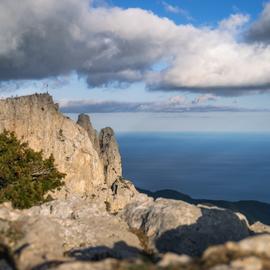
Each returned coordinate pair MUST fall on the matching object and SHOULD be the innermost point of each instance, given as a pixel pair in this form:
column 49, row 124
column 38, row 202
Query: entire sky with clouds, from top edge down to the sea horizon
column 137, row 65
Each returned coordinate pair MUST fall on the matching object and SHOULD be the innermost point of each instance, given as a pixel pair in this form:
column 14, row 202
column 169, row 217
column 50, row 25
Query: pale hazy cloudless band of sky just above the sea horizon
column 181, row 122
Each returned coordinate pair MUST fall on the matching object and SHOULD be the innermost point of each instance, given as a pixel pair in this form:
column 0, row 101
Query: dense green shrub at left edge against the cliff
column 25, row 176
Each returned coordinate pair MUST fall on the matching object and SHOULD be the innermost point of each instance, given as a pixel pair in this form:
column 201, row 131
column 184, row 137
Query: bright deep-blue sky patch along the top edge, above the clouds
column 206, row 12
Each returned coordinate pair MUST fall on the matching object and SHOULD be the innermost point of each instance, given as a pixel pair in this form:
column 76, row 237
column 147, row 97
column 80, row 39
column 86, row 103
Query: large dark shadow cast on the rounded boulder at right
column 210, row 229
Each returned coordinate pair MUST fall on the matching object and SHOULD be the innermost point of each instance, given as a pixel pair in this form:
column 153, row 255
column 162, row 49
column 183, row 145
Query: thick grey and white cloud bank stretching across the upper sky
column 110, row 45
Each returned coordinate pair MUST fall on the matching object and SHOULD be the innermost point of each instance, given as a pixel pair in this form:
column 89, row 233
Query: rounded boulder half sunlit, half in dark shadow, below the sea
column 176, row 226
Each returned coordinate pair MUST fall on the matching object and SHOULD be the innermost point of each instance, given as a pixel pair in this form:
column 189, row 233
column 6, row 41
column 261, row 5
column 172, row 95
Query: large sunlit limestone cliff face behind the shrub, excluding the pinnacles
column 36, row 119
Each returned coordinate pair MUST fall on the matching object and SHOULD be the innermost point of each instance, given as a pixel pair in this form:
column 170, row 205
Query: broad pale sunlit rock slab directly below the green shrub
column 64, row 231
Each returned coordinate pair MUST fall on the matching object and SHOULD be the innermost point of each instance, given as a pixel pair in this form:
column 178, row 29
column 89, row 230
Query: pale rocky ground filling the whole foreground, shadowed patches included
column 81, row 234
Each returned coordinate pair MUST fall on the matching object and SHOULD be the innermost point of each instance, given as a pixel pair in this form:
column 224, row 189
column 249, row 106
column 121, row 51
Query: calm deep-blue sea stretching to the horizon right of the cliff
column 202, row 165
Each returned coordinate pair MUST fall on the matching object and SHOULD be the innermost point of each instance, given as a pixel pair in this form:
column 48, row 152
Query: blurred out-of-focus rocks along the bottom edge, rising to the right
column 249, row 254
